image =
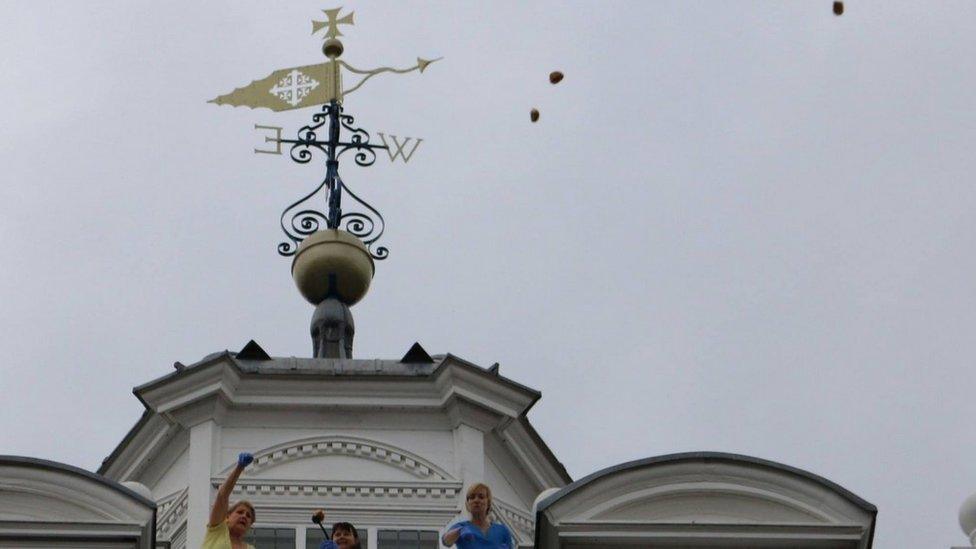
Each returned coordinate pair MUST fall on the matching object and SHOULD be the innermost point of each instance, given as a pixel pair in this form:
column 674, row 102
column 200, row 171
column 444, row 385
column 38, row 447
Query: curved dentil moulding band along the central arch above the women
column 348, row 446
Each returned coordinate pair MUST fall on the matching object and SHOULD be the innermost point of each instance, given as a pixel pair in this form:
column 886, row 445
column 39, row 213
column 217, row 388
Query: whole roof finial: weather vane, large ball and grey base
column 334, row 246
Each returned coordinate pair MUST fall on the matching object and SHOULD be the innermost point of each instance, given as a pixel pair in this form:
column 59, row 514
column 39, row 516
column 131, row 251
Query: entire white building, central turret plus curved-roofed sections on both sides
column 391, row 446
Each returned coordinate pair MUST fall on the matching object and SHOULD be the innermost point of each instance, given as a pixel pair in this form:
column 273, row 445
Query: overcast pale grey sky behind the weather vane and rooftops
column 737, row 226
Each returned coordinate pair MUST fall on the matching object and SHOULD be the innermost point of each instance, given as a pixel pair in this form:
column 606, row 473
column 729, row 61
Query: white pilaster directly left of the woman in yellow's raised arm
column 203, row 451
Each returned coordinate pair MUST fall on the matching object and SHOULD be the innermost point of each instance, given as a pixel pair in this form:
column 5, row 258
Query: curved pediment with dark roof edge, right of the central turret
column 704, row 496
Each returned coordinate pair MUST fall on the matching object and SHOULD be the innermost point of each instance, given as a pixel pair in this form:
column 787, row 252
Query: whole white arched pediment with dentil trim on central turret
column 355, row 456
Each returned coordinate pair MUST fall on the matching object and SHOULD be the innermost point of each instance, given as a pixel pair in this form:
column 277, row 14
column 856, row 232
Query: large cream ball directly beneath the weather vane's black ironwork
column 333, row 263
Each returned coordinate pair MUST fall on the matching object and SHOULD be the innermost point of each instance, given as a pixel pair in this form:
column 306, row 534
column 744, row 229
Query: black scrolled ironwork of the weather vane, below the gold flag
column 301, row 218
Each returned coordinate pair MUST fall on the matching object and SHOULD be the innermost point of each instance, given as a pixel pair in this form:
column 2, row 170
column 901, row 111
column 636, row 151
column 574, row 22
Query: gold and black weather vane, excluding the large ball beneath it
column 310, row 86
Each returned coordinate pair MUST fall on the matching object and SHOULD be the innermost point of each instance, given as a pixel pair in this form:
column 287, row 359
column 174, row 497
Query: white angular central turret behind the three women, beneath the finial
column 389, row 446
